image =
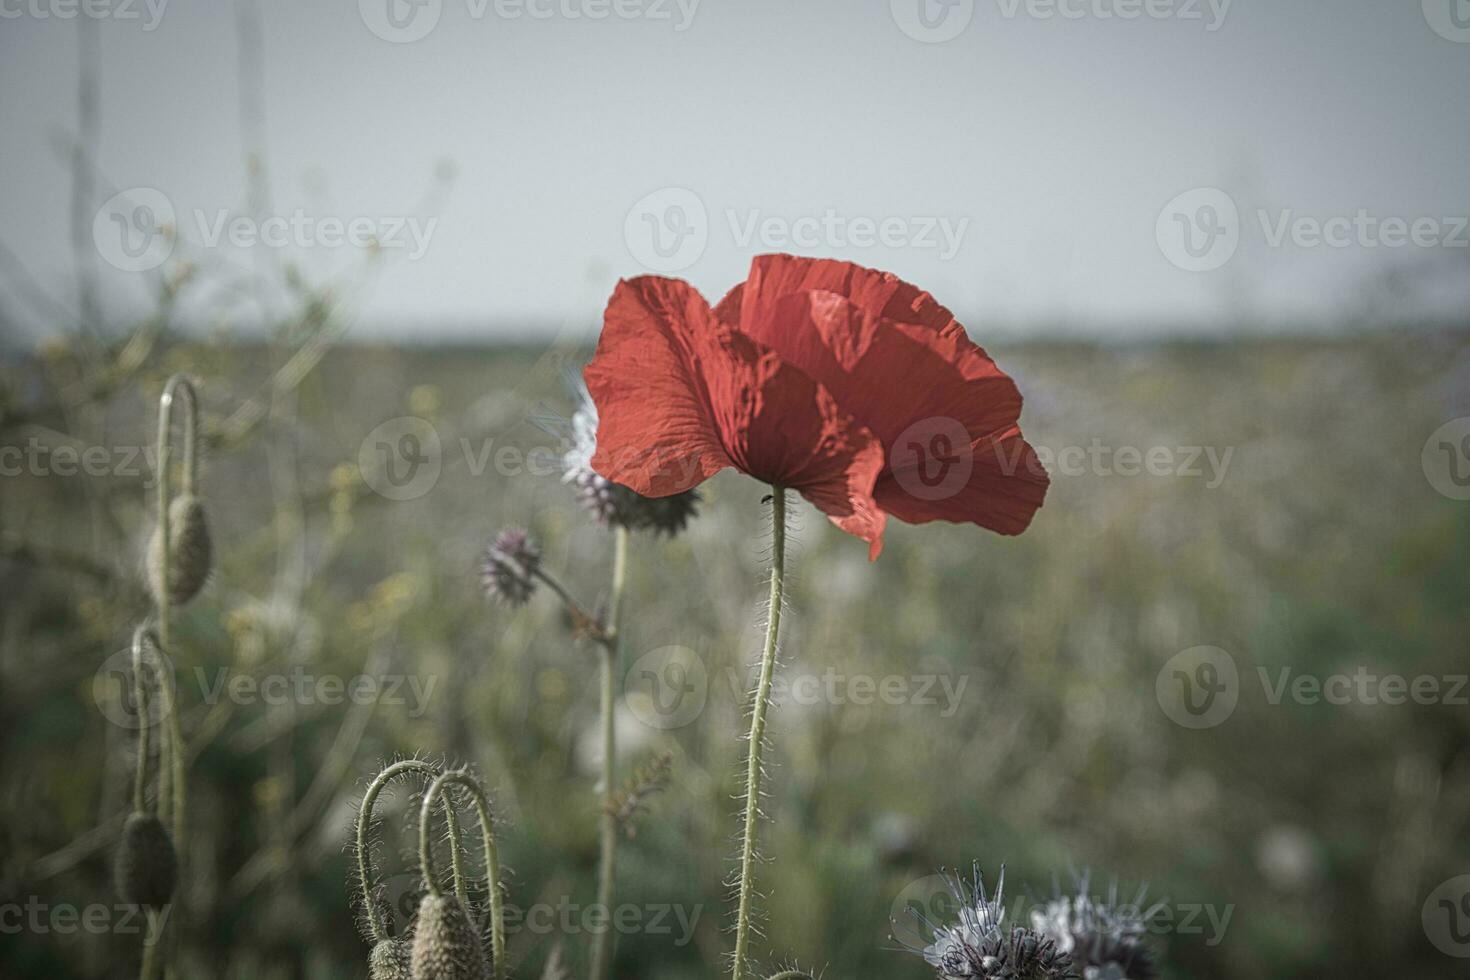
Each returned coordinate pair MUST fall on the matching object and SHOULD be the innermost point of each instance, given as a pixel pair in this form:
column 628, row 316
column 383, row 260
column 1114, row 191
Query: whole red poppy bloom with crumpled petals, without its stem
column 845, row 384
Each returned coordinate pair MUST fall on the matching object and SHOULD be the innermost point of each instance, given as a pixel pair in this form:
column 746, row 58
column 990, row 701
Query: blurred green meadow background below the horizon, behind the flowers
column 1283, row 515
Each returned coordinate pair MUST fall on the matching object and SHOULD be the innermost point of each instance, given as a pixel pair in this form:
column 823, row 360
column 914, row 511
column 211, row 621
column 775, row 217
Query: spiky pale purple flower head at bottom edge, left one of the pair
column 980, row 948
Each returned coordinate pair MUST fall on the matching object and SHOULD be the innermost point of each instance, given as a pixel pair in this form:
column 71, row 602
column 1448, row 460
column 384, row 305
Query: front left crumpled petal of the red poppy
column 681, row 396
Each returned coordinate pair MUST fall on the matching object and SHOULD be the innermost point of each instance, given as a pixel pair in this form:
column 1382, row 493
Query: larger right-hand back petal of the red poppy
column 946, row 414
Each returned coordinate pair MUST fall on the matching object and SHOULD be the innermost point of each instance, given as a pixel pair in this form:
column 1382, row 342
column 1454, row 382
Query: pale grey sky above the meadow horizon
column 1036, row 164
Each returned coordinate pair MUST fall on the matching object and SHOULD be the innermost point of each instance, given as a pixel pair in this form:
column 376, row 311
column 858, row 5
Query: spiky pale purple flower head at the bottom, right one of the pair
column 1105, row 937
